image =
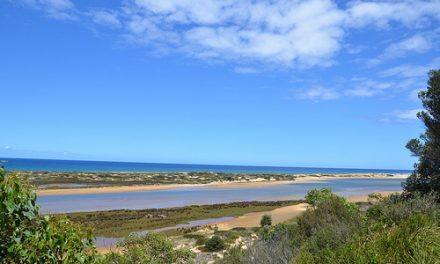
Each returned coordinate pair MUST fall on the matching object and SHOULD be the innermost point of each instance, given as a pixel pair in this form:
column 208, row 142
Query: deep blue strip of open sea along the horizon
column 110, row 166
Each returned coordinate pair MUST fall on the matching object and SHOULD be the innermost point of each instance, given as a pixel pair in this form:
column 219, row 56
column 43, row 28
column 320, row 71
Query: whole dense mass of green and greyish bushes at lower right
column 395, row 229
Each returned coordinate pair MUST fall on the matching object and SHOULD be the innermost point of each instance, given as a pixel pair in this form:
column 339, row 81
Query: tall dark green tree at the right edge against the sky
column 426, row 175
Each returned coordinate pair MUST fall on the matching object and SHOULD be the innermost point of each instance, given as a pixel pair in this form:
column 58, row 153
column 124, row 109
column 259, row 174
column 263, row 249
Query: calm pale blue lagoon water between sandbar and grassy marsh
column 209, row 195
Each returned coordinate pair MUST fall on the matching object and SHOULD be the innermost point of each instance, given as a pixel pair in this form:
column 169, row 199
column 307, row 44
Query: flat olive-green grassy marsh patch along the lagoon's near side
column 119, row 223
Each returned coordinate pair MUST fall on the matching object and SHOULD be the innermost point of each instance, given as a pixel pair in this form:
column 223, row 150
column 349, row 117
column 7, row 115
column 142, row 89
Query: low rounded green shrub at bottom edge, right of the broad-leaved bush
column 151, row 248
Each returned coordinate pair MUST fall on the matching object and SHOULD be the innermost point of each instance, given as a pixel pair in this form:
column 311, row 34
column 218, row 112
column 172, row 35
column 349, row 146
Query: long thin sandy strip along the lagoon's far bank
column 228, row 184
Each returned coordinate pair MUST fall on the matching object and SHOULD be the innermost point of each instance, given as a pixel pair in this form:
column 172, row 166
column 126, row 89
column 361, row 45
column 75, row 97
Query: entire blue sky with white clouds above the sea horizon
column 289, row 83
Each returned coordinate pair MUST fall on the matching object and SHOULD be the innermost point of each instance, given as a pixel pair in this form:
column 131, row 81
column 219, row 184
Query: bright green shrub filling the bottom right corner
column 414, row 240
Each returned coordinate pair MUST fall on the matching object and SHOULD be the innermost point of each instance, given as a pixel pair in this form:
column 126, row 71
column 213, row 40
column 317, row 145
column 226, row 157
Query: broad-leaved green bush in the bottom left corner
column 26, row 237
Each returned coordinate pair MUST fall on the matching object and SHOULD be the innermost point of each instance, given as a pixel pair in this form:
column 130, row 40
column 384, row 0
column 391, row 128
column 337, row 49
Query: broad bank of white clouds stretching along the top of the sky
column 278, row 33
